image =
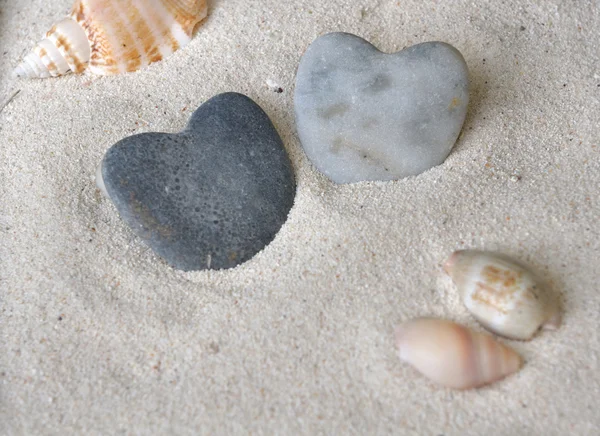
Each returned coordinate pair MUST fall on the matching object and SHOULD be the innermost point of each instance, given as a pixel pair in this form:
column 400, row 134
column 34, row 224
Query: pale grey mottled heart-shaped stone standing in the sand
column 366, row 115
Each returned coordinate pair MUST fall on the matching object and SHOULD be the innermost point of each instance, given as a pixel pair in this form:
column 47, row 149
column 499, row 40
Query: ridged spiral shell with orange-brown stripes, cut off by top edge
column 113, row 36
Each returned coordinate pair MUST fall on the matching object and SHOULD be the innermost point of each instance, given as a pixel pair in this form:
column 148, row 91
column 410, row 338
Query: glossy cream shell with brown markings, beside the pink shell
column 504, row 296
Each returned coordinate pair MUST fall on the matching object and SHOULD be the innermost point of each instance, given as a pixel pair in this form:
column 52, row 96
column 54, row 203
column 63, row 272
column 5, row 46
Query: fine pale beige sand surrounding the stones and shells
column 99, row 336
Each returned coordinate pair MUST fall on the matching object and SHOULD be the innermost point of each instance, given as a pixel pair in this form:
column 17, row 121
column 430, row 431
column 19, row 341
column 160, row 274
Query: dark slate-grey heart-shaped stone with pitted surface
column 209, row 197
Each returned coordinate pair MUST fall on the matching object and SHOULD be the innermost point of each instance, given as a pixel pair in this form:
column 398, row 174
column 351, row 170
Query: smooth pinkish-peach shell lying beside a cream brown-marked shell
column 453, row 355
